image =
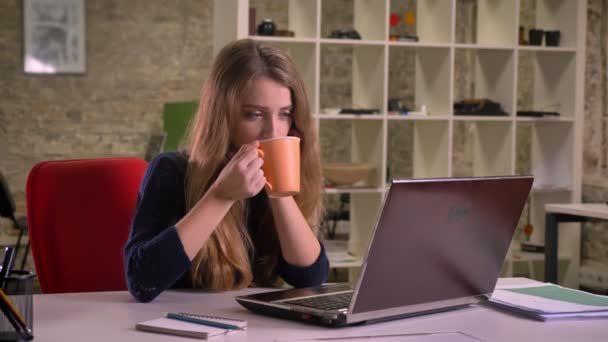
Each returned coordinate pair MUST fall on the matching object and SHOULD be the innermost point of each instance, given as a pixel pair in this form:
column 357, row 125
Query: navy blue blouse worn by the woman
column 155, row 259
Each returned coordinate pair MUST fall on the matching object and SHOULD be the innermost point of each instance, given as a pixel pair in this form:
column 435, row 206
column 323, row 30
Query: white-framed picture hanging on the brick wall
column 54, row 36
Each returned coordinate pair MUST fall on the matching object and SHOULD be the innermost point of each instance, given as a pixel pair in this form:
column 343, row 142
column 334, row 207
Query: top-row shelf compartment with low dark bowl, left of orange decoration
column 367, row 17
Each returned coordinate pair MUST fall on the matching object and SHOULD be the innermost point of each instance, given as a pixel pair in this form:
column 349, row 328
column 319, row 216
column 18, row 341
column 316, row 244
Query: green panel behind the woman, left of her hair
column 176, row 117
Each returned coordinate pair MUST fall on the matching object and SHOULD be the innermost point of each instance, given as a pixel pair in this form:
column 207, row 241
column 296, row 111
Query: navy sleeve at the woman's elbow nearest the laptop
column 313, row 275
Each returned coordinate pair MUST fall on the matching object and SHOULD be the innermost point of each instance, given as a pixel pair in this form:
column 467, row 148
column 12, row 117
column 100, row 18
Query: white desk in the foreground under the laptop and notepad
column 111, row 316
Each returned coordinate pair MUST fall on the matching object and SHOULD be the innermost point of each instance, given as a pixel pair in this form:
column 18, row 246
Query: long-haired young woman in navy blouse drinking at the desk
column 203, row 219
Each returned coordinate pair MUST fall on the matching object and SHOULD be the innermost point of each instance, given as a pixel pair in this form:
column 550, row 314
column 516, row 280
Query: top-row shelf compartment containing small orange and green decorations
column 433, row 19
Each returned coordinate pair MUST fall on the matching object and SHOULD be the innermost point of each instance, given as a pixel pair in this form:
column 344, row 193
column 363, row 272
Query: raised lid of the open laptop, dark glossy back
column 440, row 239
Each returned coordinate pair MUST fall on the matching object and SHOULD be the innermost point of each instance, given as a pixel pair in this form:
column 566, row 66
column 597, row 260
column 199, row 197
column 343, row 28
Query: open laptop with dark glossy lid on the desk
column 439, row 244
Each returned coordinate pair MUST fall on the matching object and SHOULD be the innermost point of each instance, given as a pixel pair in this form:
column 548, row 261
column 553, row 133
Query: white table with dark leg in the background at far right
column 557, row 213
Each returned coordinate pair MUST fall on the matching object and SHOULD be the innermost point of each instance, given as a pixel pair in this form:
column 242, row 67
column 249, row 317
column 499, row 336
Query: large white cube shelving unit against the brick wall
column 494, row 57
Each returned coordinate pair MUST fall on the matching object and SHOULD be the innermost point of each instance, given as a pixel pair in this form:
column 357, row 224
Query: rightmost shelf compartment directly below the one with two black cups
column 550, row 78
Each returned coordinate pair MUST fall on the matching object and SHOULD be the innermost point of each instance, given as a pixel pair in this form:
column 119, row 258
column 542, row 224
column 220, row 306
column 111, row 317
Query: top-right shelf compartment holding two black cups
column 551, row 15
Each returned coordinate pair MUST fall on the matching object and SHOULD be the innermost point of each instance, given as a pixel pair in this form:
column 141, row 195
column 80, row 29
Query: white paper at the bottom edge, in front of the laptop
column 452, row 336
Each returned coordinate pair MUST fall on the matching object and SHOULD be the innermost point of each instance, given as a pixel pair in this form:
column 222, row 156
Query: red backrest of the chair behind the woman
column 79, row 213
